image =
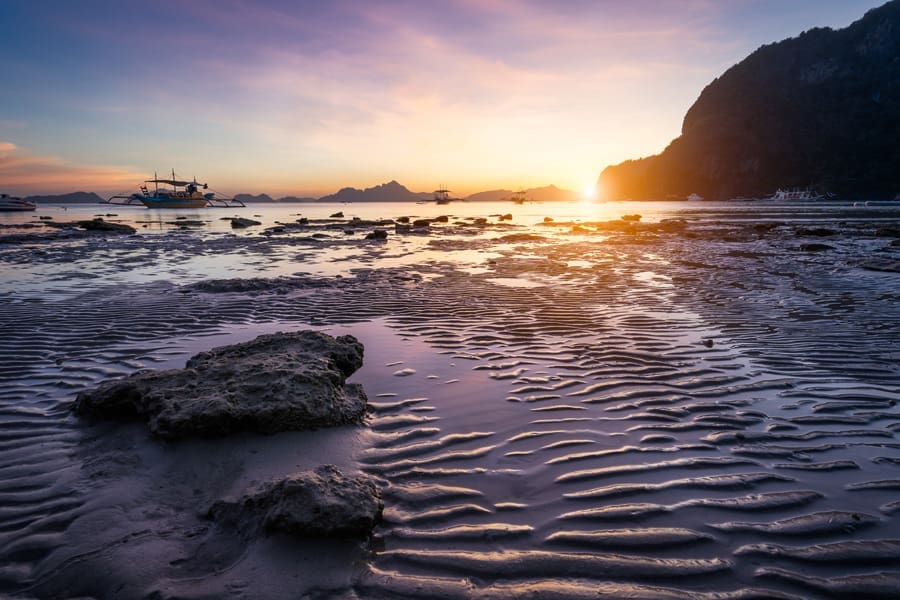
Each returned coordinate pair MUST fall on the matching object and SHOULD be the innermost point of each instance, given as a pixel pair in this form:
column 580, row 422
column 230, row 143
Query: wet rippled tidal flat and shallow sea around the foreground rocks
column 554, row 411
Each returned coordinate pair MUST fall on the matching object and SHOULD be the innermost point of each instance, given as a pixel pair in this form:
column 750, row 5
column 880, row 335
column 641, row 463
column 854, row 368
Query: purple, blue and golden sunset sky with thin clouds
column 301, row 97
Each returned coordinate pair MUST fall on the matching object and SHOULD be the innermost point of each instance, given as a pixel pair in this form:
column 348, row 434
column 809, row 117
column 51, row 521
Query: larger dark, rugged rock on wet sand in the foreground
column 278, row 382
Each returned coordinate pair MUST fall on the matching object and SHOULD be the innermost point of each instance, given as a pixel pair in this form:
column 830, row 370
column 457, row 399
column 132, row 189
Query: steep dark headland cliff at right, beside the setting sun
column 819, row 110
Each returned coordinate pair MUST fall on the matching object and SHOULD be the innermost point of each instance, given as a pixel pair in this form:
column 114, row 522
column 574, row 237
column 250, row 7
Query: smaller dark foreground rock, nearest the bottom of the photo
column 323, row 502
